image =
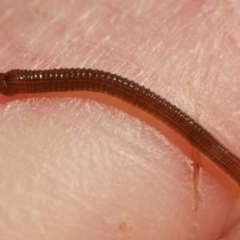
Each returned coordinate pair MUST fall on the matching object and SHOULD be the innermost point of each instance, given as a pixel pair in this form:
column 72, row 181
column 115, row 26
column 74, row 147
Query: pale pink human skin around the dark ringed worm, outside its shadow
column 72, row 168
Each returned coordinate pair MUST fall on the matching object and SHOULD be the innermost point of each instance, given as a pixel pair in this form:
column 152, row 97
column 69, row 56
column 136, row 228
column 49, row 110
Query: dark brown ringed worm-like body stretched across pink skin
column 60, row 80
